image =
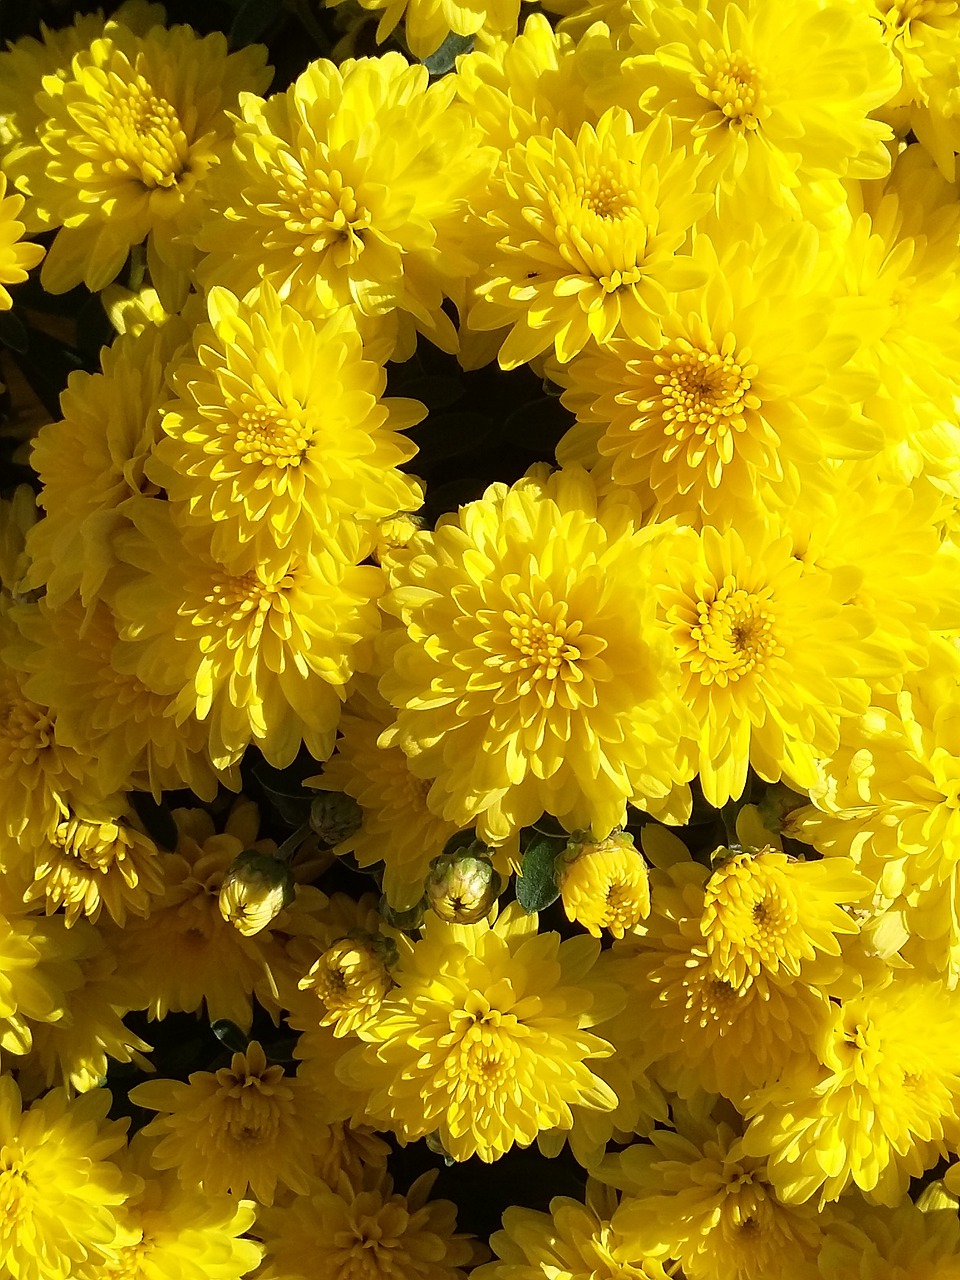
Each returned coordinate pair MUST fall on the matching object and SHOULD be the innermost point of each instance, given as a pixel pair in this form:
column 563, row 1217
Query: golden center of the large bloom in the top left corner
column 148, row 138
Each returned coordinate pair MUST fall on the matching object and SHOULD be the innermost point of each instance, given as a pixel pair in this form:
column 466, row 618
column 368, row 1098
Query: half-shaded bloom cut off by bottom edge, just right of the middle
column 578, row 1242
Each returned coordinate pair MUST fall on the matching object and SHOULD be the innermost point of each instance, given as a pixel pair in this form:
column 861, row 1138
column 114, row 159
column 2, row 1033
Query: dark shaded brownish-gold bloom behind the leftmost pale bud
column 220, row 966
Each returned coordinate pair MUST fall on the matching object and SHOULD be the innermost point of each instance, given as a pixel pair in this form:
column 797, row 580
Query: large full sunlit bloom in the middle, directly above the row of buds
column 536, row 678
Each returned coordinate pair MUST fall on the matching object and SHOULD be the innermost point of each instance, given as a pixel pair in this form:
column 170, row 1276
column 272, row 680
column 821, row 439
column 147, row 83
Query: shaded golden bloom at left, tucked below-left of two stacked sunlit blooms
column 106, row 710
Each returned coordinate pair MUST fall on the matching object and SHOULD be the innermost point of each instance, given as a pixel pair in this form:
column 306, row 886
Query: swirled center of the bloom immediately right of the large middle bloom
column 734, row 636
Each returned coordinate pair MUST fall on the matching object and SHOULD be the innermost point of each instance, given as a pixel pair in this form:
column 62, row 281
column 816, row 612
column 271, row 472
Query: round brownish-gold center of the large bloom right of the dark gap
column 705, row 394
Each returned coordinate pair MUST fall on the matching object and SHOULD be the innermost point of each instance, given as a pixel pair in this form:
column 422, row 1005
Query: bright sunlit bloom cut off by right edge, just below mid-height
column 890, row 797
